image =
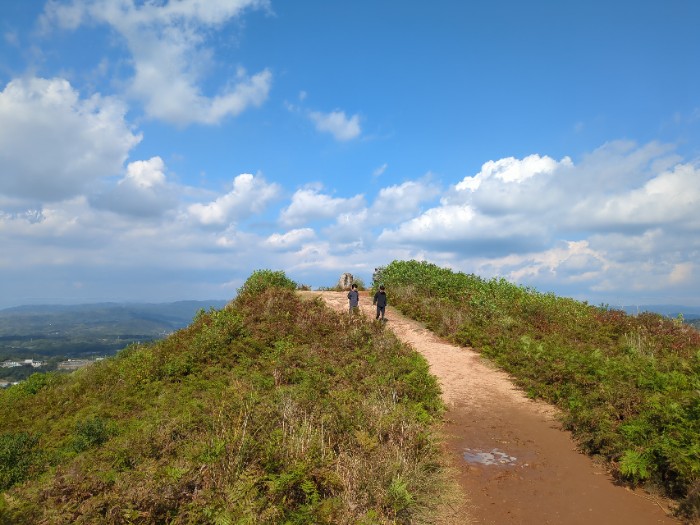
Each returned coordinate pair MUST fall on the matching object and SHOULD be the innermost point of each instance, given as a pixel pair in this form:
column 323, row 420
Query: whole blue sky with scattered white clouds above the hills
column 163, row 150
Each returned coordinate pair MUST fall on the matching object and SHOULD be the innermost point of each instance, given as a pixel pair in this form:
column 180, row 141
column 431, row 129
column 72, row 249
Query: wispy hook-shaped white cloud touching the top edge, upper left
column 167, row 44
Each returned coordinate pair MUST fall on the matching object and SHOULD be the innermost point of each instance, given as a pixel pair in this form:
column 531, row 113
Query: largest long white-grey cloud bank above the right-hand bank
column 617, row 188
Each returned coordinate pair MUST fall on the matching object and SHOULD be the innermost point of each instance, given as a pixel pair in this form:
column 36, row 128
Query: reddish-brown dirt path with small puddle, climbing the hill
column 515, row 463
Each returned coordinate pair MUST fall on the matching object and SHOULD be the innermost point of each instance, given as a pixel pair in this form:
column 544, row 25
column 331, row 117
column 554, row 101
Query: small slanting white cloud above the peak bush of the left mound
column 250, row 194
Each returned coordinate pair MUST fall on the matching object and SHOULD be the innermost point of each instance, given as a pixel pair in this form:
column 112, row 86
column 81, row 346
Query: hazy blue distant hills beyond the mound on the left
column 100, row 328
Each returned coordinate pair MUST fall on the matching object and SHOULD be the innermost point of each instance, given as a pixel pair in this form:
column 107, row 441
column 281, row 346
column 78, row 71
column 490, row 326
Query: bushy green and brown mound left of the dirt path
column 271, row 410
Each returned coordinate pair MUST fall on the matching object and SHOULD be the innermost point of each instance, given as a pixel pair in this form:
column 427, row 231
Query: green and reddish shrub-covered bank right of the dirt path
column 629, row 386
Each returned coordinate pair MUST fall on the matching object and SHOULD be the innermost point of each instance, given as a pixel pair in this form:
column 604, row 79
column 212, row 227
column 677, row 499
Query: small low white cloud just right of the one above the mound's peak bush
column 309, row 205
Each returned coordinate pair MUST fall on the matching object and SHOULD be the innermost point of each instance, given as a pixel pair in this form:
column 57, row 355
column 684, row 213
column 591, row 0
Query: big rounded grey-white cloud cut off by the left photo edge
column 55, row 144
